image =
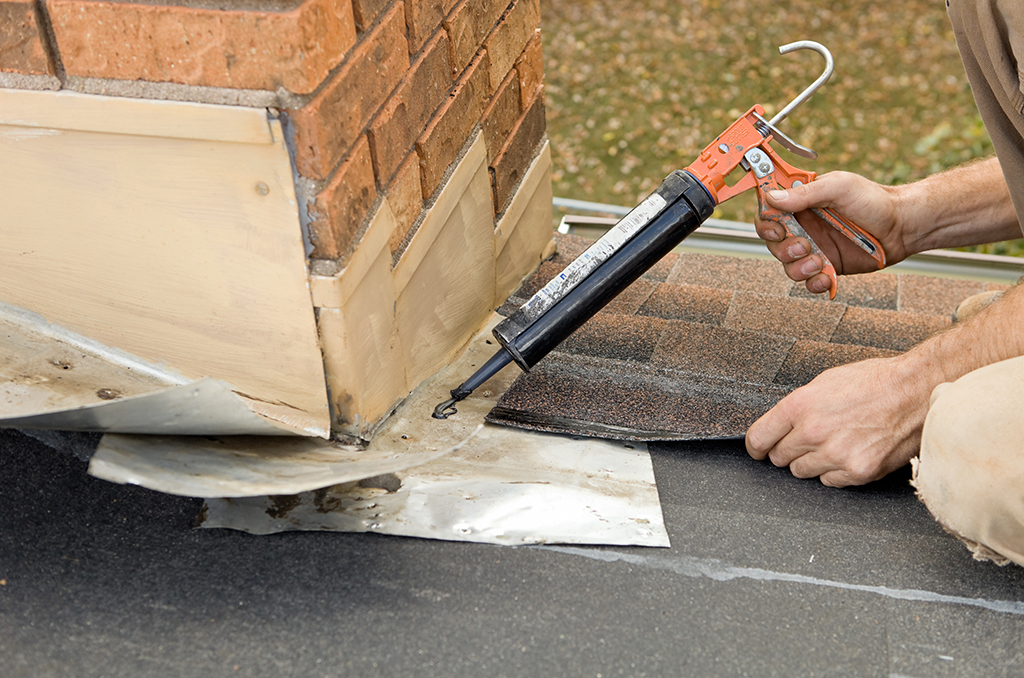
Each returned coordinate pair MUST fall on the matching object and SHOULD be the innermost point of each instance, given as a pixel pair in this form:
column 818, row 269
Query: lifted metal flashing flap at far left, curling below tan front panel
column 55, row 379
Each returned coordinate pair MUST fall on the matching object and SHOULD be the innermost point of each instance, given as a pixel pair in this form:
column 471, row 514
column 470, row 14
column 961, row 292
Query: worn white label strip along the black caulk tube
column 595, row 256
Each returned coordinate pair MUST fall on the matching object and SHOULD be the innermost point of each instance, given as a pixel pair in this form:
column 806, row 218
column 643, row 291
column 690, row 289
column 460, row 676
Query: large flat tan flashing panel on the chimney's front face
column 176, row 240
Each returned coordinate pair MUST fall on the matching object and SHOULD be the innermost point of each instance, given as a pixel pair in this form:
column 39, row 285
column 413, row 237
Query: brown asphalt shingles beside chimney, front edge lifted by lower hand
column 711, row 349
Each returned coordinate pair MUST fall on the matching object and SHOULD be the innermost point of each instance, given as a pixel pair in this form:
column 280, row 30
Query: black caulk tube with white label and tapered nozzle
column 639, row 241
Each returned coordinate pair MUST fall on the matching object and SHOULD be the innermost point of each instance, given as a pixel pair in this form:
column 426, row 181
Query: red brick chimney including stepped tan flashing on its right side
column 403, row 119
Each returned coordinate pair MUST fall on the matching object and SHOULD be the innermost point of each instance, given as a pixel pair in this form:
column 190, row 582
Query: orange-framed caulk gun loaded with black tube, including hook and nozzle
column 685, row 201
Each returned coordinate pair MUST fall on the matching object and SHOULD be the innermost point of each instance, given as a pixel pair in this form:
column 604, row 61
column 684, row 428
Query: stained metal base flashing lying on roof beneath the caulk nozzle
column 456, row 480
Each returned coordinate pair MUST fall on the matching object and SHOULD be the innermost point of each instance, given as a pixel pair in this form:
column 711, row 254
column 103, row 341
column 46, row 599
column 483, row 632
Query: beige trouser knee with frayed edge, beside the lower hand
column 971, row 471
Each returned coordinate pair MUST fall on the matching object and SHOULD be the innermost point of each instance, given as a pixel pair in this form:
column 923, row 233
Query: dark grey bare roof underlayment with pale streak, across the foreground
column 767, row 576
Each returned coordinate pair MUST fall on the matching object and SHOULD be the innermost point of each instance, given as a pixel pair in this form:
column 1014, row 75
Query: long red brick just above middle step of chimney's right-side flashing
column 440, row 145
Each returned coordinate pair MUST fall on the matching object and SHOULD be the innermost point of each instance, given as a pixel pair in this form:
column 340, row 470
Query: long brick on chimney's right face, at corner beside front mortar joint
column 327, row 126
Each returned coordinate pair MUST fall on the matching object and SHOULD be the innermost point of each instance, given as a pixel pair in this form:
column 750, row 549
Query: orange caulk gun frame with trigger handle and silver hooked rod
column 746, row 145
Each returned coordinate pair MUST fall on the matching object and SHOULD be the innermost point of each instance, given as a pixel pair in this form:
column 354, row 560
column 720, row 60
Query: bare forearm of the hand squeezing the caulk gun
column 968, row 205
